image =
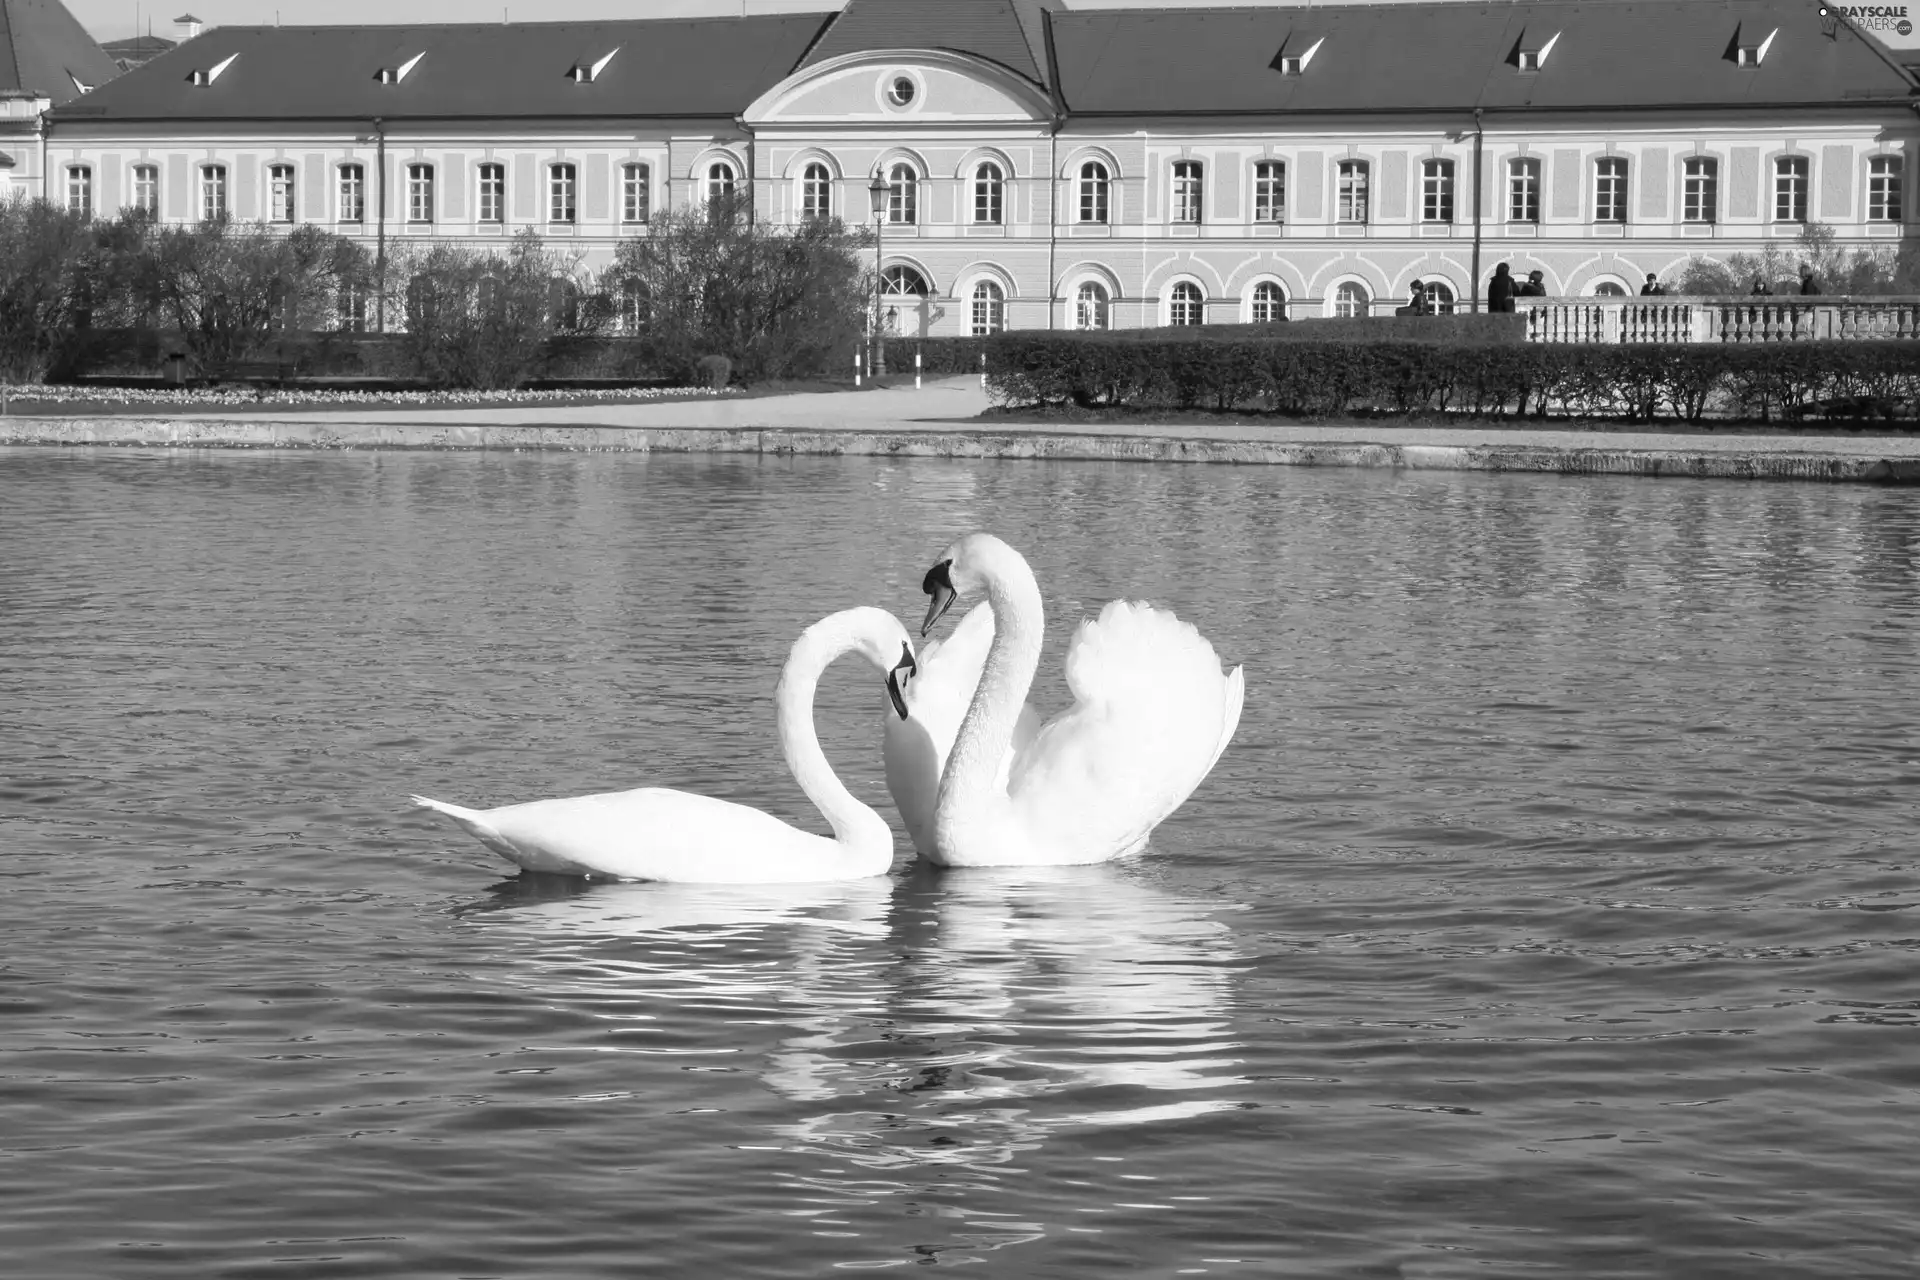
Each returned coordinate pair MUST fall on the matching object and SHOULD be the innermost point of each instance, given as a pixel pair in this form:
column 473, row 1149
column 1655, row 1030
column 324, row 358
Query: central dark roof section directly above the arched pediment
column 1005, row 32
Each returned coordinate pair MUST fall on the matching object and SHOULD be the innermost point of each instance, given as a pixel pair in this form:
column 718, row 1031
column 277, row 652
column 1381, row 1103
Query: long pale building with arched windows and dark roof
column 1045, row 166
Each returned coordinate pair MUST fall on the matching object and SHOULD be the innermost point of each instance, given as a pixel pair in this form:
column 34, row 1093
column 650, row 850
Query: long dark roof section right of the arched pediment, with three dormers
column 1456, row 57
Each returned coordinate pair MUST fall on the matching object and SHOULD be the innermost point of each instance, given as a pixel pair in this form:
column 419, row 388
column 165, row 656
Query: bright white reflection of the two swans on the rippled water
column 946, row 1018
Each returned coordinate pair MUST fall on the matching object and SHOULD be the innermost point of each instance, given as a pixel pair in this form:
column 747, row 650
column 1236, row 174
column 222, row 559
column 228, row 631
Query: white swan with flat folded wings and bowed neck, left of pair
column 656, row 834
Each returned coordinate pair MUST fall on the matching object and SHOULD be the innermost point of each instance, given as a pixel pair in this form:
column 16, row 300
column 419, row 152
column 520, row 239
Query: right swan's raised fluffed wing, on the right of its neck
column 1153, row 711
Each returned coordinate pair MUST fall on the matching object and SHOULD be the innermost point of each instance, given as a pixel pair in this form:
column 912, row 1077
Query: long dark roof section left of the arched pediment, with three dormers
column 688, row 68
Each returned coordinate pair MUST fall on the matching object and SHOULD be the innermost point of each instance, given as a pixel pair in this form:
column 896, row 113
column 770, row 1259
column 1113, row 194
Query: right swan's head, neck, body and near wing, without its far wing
column 1151, row 717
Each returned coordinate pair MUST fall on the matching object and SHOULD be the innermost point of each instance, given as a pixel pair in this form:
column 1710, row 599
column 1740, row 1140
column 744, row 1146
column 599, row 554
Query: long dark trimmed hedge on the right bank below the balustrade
column 1326, row 379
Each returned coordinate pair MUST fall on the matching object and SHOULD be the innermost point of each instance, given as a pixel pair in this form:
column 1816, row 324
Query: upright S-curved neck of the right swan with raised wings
column 988, row 732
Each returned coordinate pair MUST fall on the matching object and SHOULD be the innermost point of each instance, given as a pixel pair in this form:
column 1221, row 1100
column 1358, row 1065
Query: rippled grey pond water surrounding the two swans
column 1554, row 911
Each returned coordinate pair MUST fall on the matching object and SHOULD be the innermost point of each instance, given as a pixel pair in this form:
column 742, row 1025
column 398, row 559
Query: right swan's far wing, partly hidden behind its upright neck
column 917, row 746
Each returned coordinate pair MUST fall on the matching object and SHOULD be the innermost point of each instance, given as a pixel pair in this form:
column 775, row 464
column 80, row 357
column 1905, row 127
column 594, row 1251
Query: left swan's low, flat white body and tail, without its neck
column 652, row 834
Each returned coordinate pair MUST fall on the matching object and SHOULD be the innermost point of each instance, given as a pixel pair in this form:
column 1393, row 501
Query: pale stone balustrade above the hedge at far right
column 1719, row 320
